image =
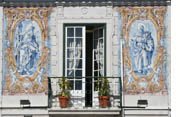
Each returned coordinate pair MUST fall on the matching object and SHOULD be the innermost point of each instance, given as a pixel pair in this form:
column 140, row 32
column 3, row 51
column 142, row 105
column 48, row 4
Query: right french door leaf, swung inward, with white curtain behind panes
column 98, row 60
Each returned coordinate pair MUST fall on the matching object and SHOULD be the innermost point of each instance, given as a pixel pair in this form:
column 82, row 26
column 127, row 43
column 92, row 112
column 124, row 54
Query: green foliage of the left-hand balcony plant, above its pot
column 64, row 86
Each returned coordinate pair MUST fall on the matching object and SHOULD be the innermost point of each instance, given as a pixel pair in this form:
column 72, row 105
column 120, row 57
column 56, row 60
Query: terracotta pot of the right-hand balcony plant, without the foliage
column 104, row 101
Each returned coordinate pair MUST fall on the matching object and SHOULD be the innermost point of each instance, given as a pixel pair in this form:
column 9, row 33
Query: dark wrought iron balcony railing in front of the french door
column 85, row 92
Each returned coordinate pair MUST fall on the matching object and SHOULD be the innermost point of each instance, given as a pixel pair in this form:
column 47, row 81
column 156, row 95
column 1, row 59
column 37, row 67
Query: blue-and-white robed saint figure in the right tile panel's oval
column 142, row 49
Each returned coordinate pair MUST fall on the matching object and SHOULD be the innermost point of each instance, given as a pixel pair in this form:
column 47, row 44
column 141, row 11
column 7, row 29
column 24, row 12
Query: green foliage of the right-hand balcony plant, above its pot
column 104, row 88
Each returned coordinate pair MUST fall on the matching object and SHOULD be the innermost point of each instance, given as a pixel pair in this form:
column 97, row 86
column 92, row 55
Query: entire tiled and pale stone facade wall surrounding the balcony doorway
column 137, row 47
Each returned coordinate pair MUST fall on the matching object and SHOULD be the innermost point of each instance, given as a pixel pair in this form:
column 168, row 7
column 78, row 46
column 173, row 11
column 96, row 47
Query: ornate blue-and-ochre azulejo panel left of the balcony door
column 26, row 51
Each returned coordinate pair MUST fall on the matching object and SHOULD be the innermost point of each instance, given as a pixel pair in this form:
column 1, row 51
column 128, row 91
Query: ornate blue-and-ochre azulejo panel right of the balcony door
column 143, row 50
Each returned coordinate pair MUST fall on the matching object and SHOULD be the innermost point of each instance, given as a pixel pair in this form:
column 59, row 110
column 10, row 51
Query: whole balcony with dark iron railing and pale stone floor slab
column 84, row 95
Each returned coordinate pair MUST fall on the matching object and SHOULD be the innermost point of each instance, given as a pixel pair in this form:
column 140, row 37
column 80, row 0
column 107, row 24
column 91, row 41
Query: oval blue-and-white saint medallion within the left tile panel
column 27, row 46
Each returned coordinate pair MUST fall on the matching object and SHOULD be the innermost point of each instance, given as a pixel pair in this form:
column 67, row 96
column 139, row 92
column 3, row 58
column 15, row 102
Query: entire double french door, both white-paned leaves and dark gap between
column 78, row 42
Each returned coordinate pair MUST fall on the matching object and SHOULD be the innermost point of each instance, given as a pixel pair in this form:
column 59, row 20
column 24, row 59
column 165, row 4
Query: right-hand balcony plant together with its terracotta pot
column 104, row 90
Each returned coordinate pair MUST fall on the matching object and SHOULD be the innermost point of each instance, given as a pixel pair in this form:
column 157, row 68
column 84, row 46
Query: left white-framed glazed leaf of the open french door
column 75, row 62
